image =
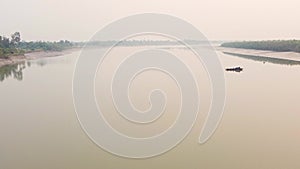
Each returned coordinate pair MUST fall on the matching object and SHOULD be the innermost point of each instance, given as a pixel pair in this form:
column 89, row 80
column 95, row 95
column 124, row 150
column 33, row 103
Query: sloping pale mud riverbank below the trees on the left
column 34, row 55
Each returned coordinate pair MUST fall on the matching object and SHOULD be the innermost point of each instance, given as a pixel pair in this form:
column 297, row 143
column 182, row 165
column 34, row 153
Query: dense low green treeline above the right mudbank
column 275, row 45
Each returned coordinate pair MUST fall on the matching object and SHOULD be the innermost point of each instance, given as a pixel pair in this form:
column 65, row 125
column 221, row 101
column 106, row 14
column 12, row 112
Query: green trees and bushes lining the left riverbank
column 14, row 46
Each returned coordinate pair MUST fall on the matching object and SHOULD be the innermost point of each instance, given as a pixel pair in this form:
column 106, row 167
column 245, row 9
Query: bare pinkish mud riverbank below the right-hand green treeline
column 293, row 56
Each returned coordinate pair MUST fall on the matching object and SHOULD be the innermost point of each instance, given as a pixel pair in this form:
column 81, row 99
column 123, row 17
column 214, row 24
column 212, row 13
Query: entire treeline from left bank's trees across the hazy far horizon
column 15, row 46
